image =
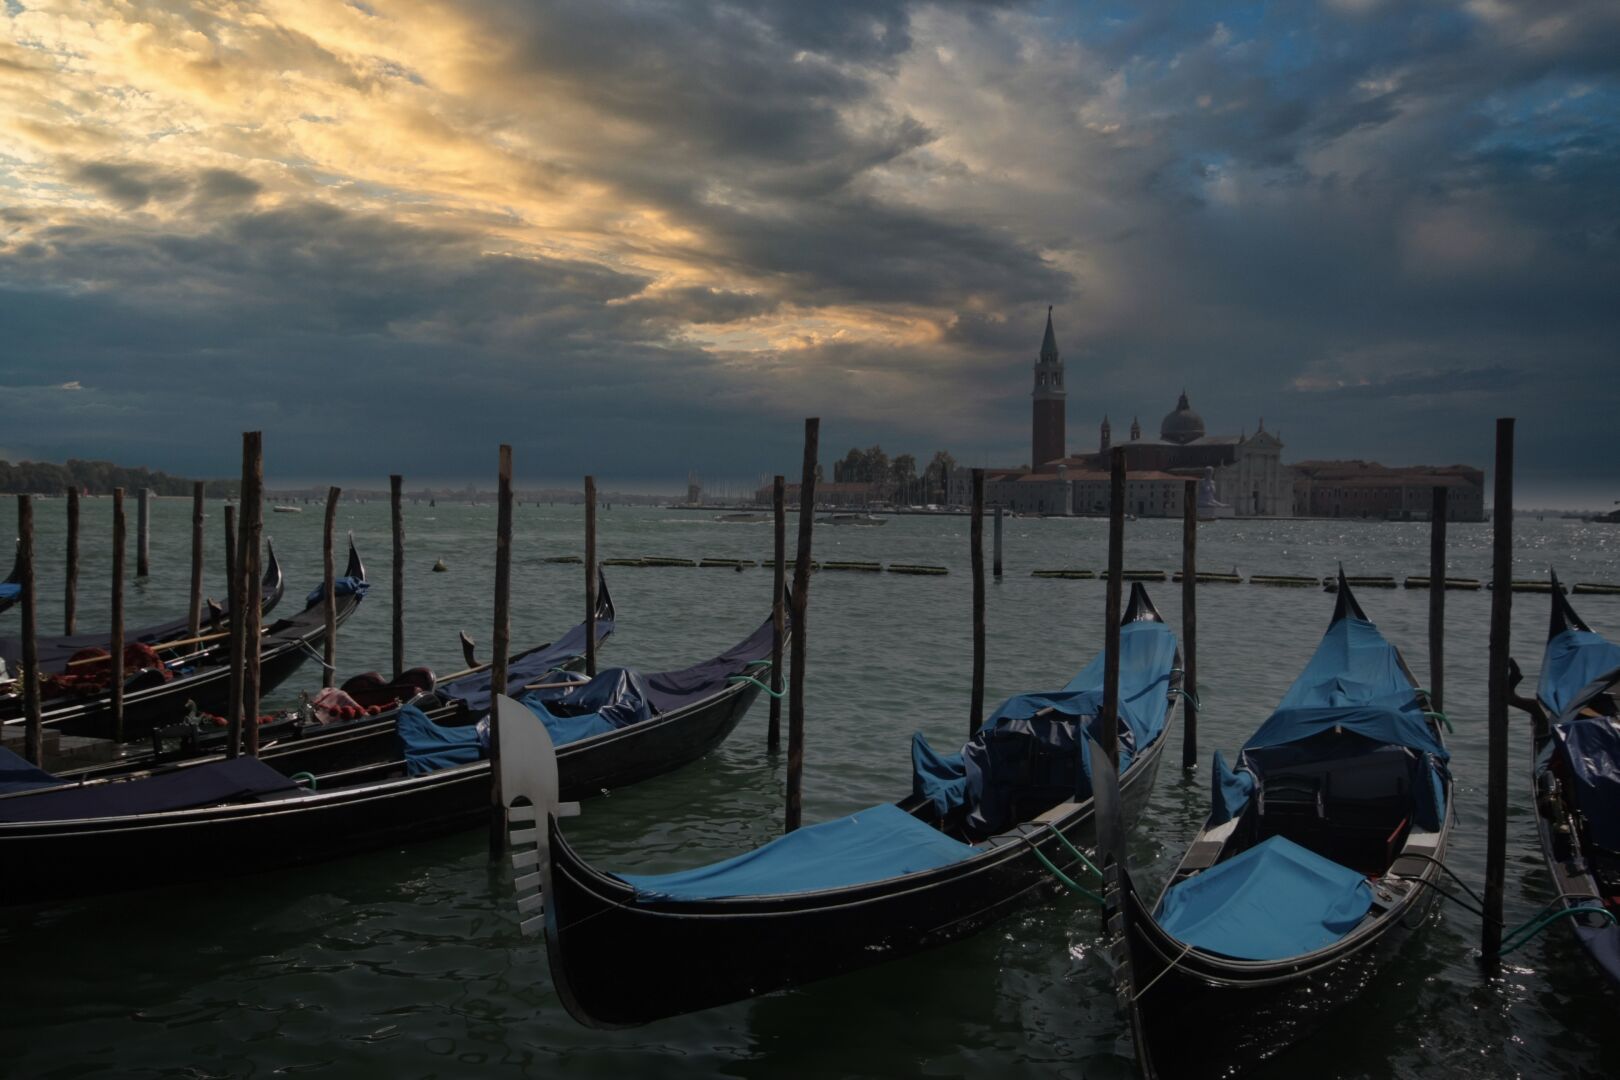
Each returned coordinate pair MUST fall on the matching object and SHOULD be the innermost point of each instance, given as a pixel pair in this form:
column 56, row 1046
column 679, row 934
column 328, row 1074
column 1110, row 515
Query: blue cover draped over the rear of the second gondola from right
column 1355, row 682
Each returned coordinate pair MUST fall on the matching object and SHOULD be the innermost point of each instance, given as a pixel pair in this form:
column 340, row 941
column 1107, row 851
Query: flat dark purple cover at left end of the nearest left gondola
column 194, row 786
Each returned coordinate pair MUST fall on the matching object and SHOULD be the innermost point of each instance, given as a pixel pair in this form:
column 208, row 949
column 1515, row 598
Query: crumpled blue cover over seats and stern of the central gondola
column 1028, row 749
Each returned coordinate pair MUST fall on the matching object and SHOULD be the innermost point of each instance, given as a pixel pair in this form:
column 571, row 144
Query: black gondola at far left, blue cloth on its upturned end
column 160, row 691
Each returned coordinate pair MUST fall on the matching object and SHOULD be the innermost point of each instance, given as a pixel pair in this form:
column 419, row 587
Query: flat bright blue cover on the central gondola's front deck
column 871, row 846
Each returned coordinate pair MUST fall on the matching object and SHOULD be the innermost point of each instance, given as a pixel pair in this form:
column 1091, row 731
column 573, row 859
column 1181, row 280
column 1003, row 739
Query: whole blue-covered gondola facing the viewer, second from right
column 1318, row 861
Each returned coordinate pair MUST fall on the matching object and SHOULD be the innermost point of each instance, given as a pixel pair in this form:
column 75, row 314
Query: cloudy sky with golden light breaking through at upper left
column 646, row 239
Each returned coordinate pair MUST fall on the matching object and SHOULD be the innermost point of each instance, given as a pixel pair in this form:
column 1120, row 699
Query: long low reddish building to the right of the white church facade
column 1366, row 490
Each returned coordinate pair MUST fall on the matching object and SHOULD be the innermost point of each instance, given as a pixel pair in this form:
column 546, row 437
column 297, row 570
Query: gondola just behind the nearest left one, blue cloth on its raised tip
column 322, row 741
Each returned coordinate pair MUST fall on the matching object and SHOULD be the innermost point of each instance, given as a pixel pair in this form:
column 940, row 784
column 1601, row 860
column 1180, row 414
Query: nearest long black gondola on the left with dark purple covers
column 218, row 819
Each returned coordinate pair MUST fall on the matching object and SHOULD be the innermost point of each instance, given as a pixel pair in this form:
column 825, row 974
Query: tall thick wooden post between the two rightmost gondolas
column 1498, row 702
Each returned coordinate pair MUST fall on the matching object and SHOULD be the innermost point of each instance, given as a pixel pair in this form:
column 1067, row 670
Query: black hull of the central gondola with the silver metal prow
column 620, row 963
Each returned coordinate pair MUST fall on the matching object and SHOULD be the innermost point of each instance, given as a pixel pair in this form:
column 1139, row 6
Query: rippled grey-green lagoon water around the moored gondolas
column 409, row 963
